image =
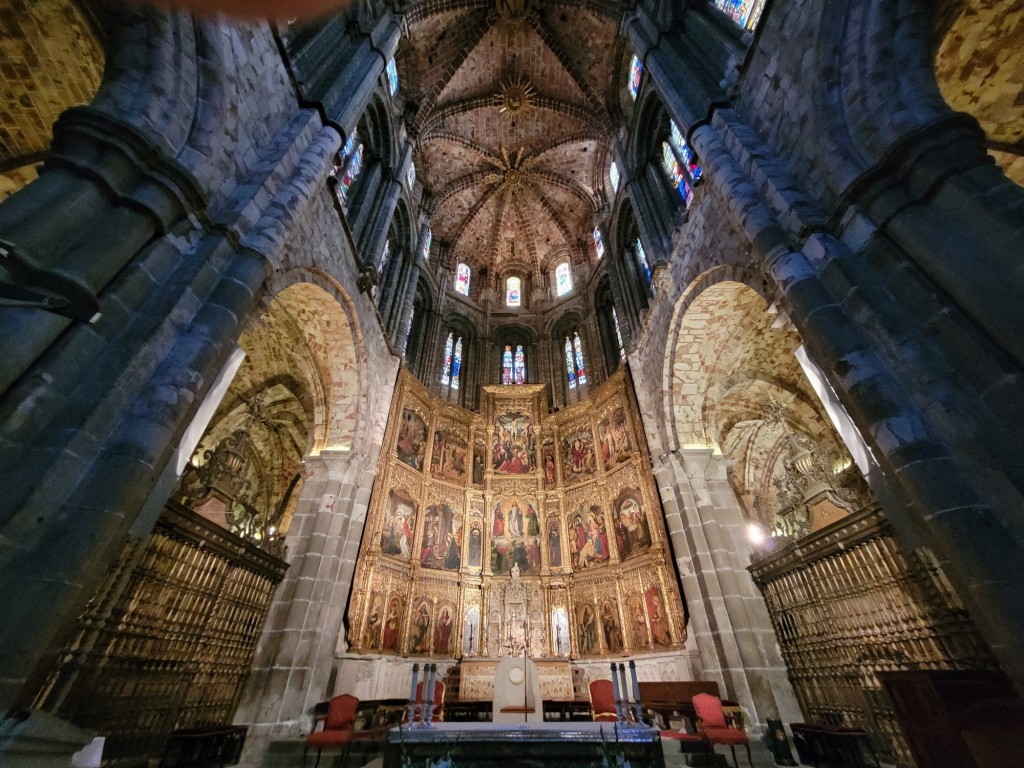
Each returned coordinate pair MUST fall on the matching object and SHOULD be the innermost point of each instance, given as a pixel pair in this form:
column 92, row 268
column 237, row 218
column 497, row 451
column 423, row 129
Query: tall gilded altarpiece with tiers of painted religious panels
column 514, row 530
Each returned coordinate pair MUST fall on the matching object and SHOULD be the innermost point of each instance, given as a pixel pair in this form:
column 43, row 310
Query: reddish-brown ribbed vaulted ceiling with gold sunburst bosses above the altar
column 510, row 112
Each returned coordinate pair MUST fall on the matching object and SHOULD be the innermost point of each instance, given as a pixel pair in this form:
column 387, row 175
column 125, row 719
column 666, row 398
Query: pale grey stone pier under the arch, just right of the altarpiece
column 729, row 619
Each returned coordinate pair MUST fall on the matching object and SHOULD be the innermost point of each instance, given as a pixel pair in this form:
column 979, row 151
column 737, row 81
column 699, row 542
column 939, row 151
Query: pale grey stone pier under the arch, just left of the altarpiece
column 294, row 667
